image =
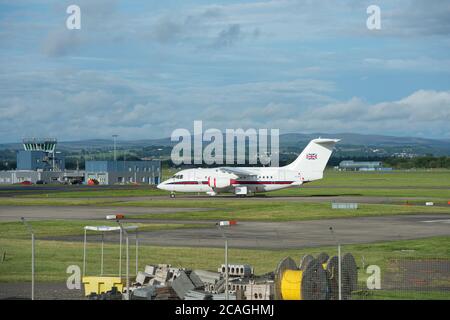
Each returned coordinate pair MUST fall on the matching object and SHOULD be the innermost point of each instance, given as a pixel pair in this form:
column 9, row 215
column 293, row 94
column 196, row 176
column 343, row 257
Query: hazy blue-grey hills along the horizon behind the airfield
column 384, row 145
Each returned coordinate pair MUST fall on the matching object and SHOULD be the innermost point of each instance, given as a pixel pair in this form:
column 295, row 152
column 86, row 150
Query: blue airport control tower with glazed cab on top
column 39, row 154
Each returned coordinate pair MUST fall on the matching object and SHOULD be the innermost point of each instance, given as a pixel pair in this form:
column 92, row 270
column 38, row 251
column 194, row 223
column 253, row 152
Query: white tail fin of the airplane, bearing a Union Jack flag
column 312, row 161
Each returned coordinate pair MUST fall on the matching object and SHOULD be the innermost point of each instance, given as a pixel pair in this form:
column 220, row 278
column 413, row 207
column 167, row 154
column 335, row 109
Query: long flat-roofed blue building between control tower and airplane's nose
column 123, row 172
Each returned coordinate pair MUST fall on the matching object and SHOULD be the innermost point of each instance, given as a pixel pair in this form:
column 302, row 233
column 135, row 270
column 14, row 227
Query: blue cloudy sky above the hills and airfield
column 141, row 69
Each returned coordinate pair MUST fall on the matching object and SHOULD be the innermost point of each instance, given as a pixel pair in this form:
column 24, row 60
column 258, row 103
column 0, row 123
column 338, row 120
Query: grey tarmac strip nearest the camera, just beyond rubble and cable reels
column 296, row 234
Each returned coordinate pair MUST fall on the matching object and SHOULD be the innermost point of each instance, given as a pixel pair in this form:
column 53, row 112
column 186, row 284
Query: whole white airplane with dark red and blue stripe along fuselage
column 309, row 166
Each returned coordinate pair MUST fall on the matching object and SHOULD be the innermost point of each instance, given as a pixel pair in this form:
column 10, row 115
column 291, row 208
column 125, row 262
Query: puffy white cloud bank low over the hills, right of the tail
column 424, row 111
